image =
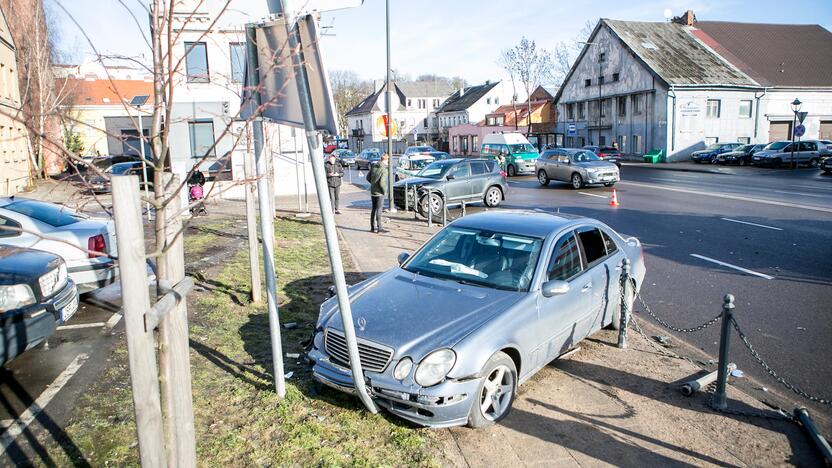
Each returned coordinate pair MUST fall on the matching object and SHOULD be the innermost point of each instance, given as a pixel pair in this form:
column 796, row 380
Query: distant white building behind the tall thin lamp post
column 414, row 111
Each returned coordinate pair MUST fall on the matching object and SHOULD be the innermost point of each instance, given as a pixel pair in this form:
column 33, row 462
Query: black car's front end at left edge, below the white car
column 36, row 296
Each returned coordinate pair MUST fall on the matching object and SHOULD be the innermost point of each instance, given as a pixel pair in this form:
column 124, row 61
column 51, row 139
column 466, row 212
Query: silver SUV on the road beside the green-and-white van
column 579, row 167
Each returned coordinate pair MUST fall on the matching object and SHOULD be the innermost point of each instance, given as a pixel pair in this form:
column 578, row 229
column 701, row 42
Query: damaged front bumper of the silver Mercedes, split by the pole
column 446, row 404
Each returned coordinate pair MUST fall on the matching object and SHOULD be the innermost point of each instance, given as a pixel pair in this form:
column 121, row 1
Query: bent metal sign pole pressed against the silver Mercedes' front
column 314, row 139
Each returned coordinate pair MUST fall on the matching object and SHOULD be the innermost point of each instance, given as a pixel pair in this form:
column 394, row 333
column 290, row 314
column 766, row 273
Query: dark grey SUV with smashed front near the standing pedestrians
column 452, row 181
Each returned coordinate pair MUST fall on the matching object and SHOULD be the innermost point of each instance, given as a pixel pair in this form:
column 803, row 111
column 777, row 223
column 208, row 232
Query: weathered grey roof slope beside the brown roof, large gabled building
column 671, row 52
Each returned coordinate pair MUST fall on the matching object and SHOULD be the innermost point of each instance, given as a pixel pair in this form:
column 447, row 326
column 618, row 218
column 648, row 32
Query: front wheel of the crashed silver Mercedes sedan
column 496, row 392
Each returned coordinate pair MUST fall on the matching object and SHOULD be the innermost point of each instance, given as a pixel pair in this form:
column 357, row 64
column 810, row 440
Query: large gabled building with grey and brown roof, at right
column 681, row 85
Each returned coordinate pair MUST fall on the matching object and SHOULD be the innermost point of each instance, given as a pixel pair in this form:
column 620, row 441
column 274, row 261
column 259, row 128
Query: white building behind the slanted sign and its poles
column 207, row 97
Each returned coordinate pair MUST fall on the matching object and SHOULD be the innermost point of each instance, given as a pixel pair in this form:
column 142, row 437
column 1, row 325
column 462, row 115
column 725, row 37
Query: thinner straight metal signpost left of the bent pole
column 266, row 219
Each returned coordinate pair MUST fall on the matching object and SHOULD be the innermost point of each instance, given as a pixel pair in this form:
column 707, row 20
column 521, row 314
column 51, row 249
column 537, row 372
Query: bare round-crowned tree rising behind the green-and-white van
column 531, row 66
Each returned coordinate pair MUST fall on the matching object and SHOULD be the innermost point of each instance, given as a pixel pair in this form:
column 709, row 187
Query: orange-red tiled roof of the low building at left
column 104, row 92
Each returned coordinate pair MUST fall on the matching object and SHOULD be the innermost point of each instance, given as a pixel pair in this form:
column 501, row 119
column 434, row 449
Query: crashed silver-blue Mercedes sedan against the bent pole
column 446, row 337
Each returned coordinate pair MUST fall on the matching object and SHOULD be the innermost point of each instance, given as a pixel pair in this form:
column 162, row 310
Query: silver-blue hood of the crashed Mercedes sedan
column 414, row 314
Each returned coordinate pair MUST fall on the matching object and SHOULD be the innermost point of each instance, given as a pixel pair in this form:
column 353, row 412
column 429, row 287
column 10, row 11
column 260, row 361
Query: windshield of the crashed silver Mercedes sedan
column 483, row 258
